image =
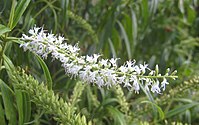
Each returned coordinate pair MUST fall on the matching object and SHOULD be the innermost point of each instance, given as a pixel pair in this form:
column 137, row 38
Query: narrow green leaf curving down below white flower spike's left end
column 46, row 72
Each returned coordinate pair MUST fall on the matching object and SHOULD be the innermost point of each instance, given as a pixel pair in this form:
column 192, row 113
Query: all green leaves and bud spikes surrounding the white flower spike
column 163, row 32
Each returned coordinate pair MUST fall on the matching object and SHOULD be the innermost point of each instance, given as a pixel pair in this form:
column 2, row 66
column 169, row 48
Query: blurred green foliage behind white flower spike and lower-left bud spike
column 163, row 32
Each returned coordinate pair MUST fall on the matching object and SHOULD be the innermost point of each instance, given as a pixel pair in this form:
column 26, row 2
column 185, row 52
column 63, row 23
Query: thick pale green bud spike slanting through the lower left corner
column 46, row 99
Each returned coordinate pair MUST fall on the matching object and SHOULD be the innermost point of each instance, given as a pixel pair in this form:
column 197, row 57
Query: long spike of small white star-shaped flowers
column 93, row 68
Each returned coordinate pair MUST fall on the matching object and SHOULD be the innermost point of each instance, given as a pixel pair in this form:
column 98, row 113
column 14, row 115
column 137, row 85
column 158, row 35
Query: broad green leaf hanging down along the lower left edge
column 8, row 101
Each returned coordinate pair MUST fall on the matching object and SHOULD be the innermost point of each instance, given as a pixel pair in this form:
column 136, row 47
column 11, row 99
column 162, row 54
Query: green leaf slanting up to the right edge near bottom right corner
column 180, row 109
